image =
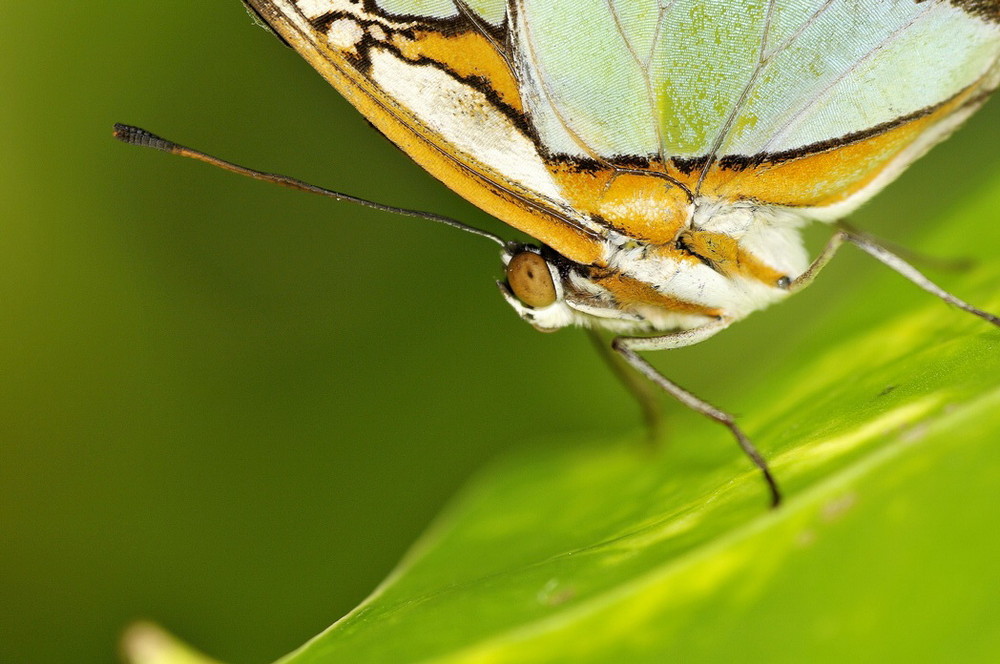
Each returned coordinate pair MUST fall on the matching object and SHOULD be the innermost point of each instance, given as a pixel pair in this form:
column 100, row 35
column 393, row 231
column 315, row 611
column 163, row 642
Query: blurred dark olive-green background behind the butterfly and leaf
column 230, row 407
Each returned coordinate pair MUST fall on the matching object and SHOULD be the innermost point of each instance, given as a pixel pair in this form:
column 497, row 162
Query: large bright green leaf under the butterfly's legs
column 600, row 551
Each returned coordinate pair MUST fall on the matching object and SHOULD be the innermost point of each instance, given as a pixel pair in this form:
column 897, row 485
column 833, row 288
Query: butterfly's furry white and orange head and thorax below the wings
column 726, row 259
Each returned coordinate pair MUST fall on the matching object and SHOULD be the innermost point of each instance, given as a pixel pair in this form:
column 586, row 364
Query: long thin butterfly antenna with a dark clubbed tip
column 141, row 137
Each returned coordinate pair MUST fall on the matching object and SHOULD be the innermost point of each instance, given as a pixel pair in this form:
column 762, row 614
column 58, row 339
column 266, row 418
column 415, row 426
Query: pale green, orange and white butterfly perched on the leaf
column 664, row 153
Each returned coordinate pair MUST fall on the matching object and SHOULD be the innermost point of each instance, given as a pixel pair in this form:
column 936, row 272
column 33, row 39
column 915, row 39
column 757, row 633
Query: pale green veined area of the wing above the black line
column 690, row 78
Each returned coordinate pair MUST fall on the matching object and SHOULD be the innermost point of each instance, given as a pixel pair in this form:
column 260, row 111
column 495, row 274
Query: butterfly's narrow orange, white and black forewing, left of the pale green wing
column 434, row 76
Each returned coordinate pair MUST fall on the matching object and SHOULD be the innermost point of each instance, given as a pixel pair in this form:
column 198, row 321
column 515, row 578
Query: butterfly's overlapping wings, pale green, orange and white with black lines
column 570, row 119
